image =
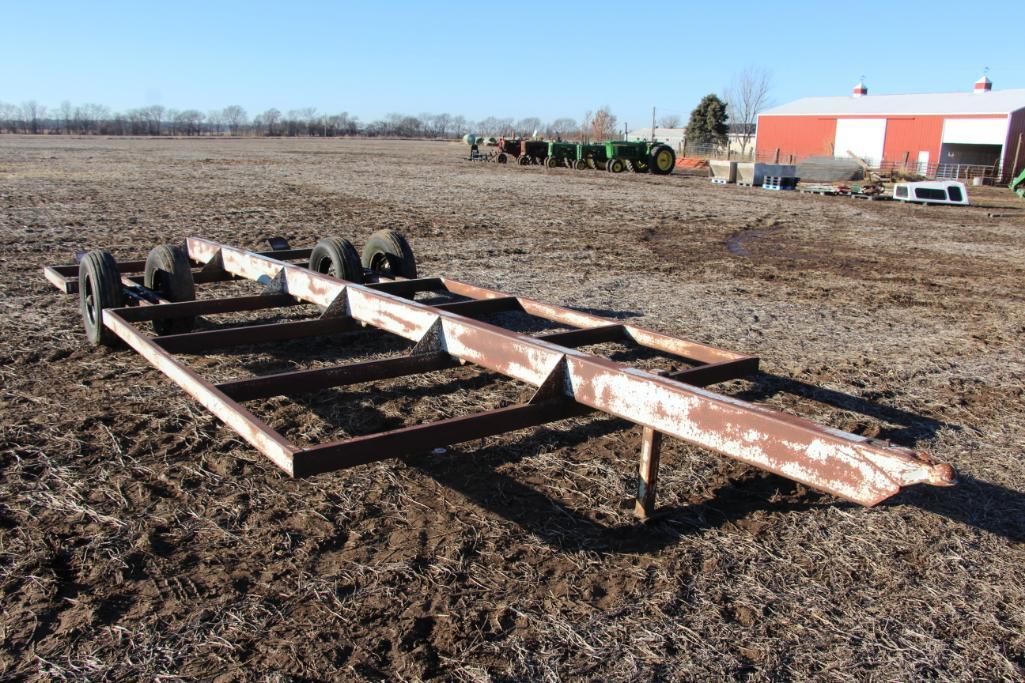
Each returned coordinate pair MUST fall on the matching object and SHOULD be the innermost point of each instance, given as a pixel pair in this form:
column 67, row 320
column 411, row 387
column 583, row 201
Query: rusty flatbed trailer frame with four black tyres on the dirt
column 151, row 306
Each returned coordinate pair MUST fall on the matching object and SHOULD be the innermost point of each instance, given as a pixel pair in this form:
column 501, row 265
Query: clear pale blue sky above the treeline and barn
column 516, row 59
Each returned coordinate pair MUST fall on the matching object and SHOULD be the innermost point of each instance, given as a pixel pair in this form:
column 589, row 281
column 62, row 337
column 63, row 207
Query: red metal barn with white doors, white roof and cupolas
column 938, row 134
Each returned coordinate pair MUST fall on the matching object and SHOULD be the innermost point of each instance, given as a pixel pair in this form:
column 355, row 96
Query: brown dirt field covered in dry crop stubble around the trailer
column 140, row 538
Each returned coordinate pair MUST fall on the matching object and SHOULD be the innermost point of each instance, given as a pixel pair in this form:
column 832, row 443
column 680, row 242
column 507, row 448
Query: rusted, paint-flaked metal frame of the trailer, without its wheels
column 569, row 382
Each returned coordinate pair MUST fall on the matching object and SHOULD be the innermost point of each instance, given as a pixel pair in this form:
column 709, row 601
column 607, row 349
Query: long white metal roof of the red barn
column 996, row 102
